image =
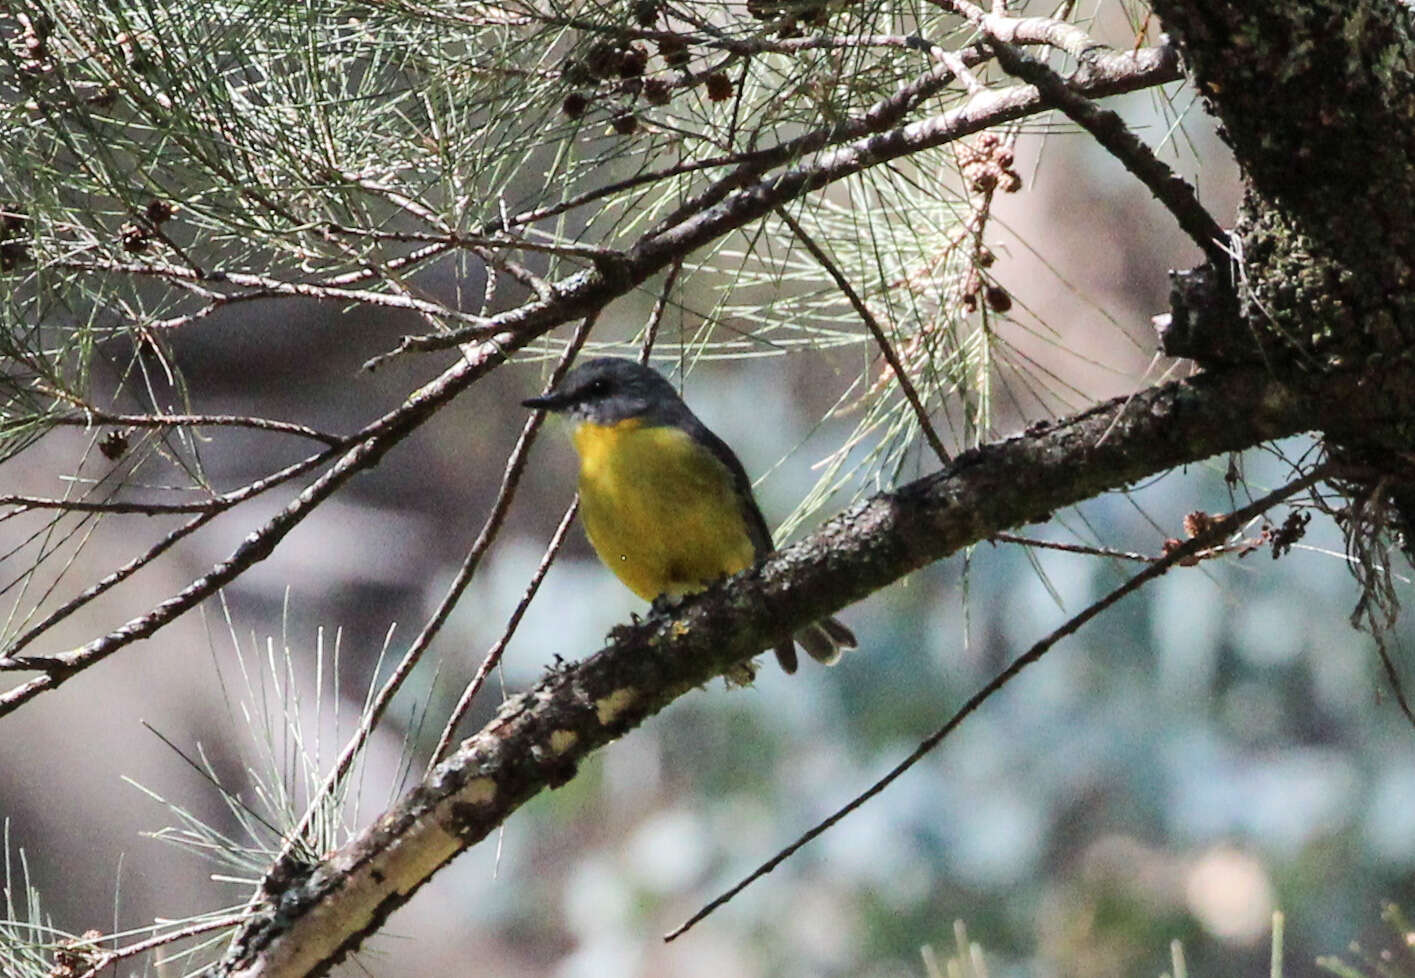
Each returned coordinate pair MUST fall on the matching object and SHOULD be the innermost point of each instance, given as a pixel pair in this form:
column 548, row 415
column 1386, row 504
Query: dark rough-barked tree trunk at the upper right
column 1318, row 103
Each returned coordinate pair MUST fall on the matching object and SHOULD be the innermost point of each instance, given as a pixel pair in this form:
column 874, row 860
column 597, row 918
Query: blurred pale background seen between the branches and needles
column 1219, row 747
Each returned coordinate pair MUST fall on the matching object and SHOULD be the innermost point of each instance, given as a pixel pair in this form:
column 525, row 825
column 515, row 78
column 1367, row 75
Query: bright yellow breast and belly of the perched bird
column 660, row 509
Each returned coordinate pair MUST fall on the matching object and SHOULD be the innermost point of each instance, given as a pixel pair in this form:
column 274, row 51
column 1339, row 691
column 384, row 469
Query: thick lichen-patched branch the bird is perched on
column 313, row 916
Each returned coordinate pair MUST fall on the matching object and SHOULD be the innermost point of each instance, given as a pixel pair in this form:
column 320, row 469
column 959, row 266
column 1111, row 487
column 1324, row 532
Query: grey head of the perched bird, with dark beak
column 611, row 390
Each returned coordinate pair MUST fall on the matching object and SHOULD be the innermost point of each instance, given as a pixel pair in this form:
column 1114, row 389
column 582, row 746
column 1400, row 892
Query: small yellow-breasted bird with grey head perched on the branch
column 666, row 503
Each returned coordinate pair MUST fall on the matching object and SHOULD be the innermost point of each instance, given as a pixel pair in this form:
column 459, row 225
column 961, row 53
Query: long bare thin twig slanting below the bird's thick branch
column 1185, row 551
